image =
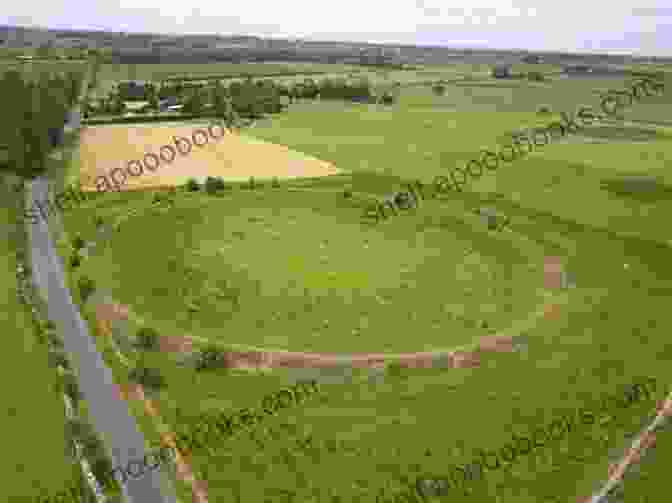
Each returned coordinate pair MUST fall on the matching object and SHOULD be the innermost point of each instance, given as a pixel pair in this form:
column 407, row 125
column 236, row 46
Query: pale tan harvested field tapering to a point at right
column 234, row 157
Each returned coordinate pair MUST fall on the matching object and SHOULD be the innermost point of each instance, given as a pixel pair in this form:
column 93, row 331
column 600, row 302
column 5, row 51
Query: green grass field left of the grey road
column 33, row 417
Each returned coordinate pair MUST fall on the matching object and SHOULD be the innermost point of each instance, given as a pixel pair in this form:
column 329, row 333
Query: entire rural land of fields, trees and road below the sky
column 252, row 263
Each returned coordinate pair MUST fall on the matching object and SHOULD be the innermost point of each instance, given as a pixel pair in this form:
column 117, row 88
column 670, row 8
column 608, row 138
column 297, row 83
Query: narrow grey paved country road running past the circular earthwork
column 109, row 416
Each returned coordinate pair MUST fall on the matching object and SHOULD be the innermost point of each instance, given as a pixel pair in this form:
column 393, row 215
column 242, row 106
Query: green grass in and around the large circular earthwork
column 298, row 270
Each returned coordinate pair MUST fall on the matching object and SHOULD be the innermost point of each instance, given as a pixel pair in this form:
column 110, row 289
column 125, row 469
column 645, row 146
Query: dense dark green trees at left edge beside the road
column 34, row 114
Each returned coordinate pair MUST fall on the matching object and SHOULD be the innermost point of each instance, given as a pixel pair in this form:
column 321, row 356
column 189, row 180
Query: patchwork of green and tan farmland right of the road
column 249, row 264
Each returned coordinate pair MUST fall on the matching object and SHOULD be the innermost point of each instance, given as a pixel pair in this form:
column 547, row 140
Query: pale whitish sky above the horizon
column 569, row 25
